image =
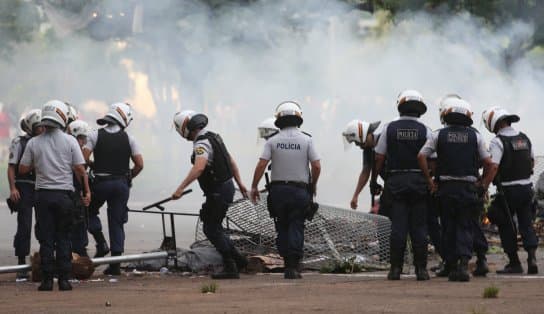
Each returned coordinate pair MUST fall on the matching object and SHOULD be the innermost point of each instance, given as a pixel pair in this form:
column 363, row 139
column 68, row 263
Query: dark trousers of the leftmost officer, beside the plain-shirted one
column 21, row 242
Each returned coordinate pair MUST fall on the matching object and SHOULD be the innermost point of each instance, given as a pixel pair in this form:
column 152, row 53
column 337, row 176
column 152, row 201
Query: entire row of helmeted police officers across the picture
column 419, row 168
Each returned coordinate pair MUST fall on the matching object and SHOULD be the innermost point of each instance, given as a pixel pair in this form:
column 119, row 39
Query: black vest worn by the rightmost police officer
column 516, row 162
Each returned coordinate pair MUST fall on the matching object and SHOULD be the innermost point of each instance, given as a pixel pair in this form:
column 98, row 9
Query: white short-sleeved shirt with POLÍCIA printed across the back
column 290, row 151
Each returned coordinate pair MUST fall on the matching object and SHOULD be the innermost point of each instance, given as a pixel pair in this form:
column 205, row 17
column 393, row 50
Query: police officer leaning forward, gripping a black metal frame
column 214, row 168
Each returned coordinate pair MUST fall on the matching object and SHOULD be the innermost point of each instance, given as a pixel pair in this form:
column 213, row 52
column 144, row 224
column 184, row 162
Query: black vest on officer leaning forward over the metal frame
column 219, row 170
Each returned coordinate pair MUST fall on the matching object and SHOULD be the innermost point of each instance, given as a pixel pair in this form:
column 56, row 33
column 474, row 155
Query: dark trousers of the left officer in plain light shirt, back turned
column 54, row 215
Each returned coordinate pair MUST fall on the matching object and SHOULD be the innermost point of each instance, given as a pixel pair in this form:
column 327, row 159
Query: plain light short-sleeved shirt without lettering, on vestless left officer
column 53, row 154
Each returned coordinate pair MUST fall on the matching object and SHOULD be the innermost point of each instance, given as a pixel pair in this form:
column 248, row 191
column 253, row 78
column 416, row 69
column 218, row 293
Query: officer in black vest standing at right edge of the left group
column 112, row 149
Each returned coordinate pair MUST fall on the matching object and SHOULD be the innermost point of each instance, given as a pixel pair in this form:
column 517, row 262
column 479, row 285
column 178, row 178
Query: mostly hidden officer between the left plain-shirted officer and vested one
column 79, row 129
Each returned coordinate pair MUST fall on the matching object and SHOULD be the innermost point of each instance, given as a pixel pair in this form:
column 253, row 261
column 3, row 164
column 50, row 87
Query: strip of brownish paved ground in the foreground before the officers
column 270, row 293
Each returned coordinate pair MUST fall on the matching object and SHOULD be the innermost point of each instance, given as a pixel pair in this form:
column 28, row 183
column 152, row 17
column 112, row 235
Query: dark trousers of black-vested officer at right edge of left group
column 115, row 193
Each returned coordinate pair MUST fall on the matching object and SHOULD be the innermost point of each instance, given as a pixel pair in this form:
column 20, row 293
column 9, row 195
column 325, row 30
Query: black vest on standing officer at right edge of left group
column 112, row 153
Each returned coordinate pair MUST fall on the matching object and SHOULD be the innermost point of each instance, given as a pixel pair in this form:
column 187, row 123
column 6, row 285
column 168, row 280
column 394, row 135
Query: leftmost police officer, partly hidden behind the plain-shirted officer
column 22, row 187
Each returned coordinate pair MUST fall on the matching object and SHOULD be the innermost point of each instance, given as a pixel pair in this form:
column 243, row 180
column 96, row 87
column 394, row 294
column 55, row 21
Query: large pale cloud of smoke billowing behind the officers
column 236, row 63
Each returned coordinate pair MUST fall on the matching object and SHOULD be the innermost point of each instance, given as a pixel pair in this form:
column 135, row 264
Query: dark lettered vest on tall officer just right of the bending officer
column 404, row 140
